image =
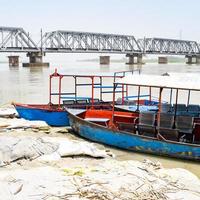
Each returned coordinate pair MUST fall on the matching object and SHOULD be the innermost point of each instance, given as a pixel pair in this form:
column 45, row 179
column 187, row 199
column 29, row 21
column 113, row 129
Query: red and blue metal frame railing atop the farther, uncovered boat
column 97, row 83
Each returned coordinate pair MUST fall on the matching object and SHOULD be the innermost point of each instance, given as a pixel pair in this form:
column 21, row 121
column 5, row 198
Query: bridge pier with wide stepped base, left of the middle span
column 35, row 60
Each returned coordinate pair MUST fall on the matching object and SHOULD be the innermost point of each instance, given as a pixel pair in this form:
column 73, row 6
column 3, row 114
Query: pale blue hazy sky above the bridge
column 150, row 18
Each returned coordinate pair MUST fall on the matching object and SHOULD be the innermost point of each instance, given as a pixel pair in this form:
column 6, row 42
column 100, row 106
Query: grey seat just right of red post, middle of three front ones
column 165, row 128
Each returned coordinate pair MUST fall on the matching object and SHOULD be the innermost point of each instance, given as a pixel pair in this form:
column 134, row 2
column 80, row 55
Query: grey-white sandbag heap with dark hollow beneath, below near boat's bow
column 45, row 148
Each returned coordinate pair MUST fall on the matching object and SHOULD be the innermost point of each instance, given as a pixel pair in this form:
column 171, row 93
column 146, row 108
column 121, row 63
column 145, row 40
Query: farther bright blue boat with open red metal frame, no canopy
column 55, row 114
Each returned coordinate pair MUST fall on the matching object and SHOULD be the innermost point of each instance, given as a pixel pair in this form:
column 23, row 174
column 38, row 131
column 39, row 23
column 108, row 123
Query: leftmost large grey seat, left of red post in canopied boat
column 146, row 125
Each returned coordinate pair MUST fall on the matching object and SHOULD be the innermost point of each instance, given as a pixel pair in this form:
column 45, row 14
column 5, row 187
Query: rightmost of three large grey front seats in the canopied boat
column 185, row 125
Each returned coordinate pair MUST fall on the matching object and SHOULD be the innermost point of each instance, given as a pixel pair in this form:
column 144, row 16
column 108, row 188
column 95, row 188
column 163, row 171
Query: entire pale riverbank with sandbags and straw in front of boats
column 56, row 171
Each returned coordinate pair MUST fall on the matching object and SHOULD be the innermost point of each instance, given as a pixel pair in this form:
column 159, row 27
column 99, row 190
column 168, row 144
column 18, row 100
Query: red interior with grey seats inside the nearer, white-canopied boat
column 180, row 128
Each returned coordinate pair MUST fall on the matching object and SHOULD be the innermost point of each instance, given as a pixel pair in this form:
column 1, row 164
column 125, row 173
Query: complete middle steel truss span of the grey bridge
column 70, row 41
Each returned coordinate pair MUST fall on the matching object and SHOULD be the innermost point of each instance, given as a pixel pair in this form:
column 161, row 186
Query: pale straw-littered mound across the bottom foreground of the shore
column 108, row 180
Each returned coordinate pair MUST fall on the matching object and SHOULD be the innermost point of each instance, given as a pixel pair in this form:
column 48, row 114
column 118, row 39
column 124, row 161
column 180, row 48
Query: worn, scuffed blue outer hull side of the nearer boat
column 133, row 142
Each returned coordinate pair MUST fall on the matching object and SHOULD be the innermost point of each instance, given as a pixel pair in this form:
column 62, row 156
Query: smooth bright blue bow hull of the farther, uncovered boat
column 51, row 117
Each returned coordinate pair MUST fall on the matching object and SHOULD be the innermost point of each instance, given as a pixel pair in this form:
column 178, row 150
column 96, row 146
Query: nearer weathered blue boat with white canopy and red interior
column 174, row 133
